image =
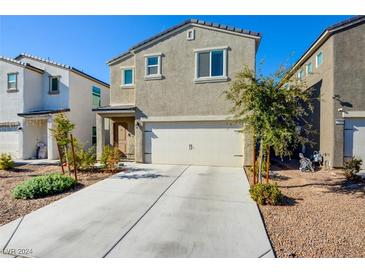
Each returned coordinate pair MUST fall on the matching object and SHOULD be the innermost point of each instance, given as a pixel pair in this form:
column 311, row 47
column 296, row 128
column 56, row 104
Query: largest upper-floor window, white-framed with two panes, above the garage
column 210, row 64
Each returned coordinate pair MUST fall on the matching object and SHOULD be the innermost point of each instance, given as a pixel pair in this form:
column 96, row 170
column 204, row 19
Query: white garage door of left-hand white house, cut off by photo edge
column 9, row 138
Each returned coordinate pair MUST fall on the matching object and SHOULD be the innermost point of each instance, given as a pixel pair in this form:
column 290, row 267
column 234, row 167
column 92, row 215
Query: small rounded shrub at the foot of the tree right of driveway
column 266, row 194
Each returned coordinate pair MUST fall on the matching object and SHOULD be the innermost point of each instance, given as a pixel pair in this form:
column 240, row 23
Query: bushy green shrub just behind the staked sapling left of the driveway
column 85, row 159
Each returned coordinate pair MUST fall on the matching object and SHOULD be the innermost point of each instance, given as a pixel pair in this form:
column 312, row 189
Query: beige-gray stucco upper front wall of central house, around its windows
column 177, row 94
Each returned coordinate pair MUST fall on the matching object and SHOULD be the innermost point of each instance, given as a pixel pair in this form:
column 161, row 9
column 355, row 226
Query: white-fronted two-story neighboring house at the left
column 32, row 91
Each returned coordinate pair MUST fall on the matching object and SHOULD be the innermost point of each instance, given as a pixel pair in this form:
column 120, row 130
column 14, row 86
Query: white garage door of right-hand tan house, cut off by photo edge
column 355, row 139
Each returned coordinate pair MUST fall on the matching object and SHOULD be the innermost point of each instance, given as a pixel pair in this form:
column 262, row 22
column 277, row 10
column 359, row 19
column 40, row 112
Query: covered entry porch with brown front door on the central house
column 119, row 122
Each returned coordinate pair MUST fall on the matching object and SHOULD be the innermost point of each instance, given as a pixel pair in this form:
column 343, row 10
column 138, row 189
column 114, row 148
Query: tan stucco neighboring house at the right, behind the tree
column 334, row 66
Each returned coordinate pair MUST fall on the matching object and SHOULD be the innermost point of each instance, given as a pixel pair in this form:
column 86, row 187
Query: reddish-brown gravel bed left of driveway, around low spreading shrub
column 11, row 209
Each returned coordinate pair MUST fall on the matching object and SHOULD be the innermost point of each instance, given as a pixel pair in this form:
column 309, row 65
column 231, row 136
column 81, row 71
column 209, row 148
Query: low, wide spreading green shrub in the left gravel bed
column 42, row 186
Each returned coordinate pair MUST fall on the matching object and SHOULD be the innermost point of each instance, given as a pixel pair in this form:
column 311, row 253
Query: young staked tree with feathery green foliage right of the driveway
column 271, row 109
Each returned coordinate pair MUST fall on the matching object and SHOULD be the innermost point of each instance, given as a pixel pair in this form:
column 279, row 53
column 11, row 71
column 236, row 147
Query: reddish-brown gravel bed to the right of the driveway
column 324, row 216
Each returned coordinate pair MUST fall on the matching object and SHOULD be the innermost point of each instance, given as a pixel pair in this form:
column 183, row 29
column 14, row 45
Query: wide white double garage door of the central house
column 196, row 143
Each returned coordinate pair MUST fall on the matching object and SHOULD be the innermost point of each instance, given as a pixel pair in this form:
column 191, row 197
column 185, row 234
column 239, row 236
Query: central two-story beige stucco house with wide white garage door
column 167, row 103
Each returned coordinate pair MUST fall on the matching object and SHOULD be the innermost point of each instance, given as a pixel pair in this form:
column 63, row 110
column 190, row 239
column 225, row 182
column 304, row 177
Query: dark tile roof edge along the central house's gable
column 186, row 22
